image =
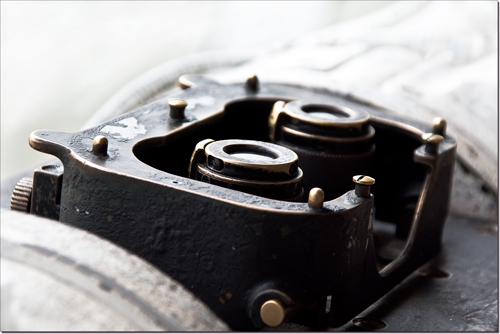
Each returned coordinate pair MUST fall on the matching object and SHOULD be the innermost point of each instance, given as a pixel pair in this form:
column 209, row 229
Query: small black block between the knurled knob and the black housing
column 46, row 198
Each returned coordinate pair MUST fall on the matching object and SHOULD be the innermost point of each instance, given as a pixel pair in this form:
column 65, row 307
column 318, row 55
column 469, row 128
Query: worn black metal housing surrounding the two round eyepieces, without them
column 229, row 247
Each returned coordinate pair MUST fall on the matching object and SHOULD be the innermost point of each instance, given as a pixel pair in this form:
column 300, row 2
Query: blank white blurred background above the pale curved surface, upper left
column 61, row 61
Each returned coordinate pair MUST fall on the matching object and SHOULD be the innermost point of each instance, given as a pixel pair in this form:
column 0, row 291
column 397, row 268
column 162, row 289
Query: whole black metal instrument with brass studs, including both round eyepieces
column 257, row 260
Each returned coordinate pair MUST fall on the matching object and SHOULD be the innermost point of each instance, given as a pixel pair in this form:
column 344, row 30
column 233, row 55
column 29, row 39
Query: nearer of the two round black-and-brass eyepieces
column 259, row 168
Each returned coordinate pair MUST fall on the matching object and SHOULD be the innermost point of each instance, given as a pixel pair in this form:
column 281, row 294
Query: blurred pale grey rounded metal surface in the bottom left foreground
column 58, row 278
